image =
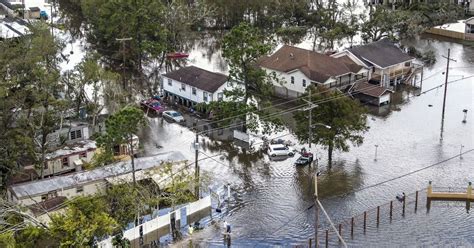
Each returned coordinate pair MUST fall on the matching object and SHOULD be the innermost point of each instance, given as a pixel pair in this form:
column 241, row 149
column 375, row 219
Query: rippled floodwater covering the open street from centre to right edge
column 270, row 199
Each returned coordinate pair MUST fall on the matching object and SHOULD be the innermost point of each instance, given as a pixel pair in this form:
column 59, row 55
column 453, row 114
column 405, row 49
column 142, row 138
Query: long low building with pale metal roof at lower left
column 83, row 182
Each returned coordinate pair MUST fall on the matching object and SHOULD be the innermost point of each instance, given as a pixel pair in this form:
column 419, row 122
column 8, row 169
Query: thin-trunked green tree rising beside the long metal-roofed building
column 121, row 128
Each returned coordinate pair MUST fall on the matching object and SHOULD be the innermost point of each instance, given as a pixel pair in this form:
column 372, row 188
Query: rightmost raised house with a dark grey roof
column 387, row 64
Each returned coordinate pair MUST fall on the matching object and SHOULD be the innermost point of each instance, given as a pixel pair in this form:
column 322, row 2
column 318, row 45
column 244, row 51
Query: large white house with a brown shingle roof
column 297, row 68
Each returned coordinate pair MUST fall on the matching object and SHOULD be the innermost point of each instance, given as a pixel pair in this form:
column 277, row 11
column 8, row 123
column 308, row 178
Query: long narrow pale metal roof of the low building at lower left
column 83, row 177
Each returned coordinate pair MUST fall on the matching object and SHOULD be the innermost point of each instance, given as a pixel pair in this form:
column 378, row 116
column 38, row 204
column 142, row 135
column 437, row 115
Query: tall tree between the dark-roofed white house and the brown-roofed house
column 243, row 46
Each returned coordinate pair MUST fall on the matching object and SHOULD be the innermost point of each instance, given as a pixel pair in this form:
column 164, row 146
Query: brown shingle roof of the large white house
column 316, row 66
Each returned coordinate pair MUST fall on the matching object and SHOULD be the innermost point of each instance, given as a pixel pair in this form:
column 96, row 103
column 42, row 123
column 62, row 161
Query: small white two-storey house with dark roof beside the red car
column 191, row 85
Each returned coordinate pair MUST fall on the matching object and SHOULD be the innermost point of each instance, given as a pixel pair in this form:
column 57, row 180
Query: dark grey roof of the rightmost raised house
column 382, row 53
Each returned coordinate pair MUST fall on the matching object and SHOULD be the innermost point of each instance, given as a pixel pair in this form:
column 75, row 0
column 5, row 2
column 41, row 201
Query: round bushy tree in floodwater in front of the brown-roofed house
column 346, row 117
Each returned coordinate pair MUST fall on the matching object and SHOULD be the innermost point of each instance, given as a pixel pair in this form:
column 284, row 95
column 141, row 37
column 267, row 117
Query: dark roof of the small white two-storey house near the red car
column 199, row 78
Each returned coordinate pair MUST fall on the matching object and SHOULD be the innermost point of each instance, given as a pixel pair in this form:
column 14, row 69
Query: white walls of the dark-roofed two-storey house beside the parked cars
column 176, row 88
